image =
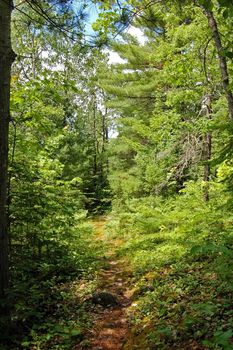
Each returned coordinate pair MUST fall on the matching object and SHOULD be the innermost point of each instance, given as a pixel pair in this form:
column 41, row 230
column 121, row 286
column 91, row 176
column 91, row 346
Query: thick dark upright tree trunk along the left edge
column 6, row 59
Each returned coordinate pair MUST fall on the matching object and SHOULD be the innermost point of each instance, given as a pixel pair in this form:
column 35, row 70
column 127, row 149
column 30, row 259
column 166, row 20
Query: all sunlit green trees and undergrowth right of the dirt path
column 178, row 240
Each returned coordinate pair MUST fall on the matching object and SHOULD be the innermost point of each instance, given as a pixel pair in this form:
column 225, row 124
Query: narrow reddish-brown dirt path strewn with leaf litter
column 110, row 330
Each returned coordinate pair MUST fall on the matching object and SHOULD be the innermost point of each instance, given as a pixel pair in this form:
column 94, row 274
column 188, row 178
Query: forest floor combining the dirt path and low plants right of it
column 149, row 292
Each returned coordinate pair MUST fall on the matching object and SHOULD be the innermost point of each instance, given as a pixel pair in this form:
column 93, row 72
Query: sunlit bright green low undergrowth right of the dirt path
column 181, row 253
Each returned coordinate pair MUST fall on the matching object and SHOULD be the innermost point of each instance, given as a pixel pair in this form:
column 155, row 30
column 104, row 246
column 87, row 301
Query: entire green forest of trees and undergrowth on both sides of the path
column 146, row 142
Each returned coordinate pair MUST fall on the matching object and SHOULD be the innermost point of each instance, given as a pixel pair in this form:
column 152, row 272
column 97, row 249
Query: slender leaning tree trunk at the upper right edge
column 222, row 60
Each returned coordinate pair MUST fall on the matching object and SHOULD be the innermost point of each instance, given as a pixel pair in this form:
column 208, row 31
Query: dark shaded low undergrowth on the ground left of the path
column 47, row 308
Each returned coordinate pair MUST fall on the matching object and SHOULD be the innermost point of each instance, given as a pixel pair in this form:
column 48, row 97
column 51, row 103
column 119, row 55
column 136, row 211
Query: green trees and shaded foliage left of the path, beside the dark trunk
column 57, row 176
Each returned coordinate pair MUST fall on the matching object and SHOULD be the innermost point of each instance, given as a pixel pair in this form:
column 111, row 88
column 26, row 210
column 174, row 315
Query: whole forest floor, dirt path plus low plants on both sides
column 132, row 291
